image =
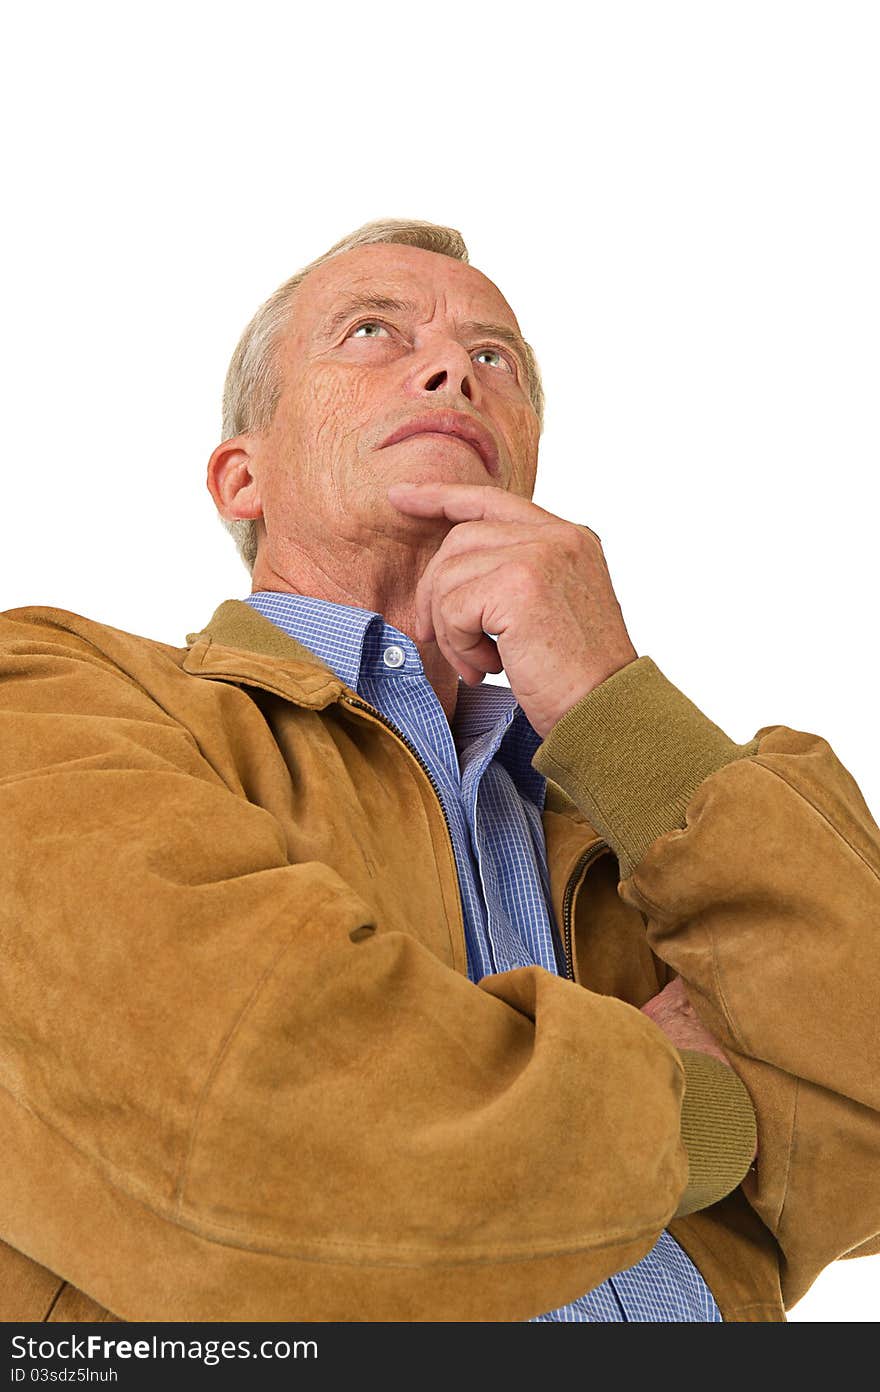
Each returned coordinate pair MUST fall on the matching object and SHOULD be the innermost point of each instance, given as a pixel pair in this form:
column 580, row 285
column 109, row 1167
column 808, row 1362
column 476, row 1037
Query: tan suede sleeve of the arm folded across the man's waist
column 229, row 1095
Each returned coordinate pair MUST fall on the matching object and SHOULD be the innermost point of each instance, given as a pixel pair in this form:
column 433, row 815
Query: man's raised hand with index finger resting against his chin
column 537, row 583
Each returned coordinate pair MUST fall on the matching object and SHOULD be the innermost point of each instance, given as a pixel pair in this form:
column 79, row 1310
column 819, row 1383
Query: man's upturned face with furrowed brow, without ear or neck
column 350, row 381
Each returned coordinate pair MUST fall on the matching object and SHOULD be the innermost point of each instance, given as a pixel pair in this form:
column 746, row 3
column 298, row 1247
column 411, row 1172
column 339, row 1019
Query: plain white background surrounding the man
column 680, row 204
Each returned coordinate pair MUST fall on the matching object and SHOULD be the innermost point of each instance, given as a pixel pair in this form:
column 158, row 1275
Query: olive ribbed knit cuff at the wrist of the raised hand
column 631, row 755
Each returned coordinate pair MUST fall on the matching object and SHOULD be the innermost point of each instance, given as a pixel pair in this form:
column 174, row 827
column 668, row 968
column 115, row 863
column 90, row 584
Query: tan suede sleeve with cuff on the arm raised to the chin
column 757, row 871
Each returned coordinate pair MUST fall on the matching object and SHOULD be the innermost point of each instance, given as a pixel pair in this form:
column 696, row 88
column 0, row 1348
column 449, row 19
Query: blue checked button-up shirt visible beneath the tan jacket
column 494, row 802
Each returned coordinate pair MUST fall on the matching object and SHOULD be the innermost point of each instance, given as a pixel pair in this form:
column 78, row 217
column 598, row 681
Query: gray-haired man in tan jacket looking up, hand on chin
column 340, row 988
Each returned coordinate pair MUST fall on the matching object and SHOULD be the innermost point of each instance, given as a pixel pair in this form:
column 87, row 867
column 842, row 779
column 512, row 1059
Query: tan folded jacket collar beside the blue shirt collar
column 242, row 645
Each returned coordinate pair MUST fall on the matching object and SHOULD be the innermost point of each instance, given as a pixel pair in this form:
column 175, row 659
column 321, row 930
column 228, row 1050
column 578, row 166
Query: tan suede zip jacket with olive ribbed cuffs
column 244, row 1074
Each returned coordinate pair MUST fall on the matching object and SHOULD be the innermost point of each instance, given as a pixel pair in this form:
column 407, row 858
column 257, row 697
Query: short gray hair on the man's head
column 254, row 383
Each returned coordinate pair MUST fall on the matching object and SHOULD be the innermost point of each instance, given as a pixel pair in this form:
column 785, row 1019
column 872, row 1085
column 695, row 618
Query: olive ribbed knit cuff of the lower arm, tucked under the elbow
column 718, row 1130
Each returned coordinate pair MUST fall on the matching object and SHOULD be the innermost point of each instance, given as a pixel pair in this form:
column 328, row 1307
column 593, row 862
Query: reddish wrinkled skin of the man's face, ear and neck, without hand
column 317, row 480
